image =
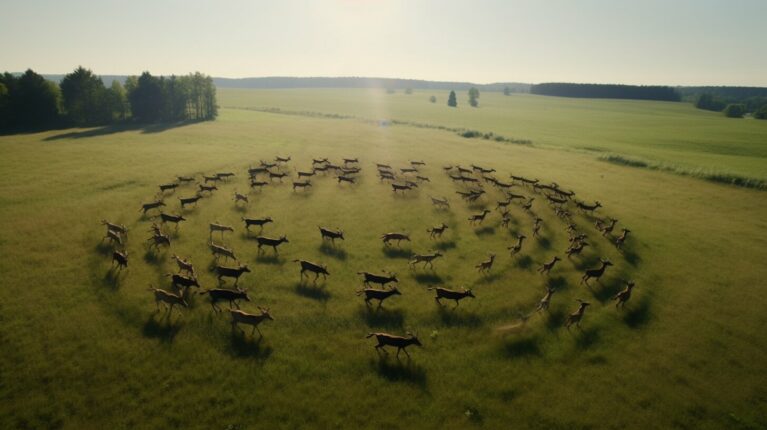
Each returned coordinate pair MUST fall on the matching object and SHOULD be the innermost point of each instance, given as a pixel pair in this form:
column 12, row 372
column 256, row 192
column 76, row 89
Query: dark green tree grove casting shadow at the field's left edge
column 29, row 101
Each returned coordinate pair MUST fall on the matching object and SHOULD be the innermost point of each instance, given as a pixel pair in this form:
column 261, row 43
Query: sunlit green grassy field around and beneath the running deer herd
column 82, row 348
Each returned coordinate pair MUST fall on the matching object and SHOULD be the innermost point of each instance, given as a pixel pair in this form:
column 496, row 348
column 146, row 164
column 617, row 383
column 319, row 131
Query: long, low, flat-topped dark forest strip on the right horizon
column 606, row 91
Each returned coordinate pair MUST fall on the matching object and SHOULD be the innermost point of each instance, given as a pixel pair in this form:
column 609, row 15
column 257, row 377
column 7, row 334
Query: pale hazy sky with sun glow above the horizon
column 685, row 42
